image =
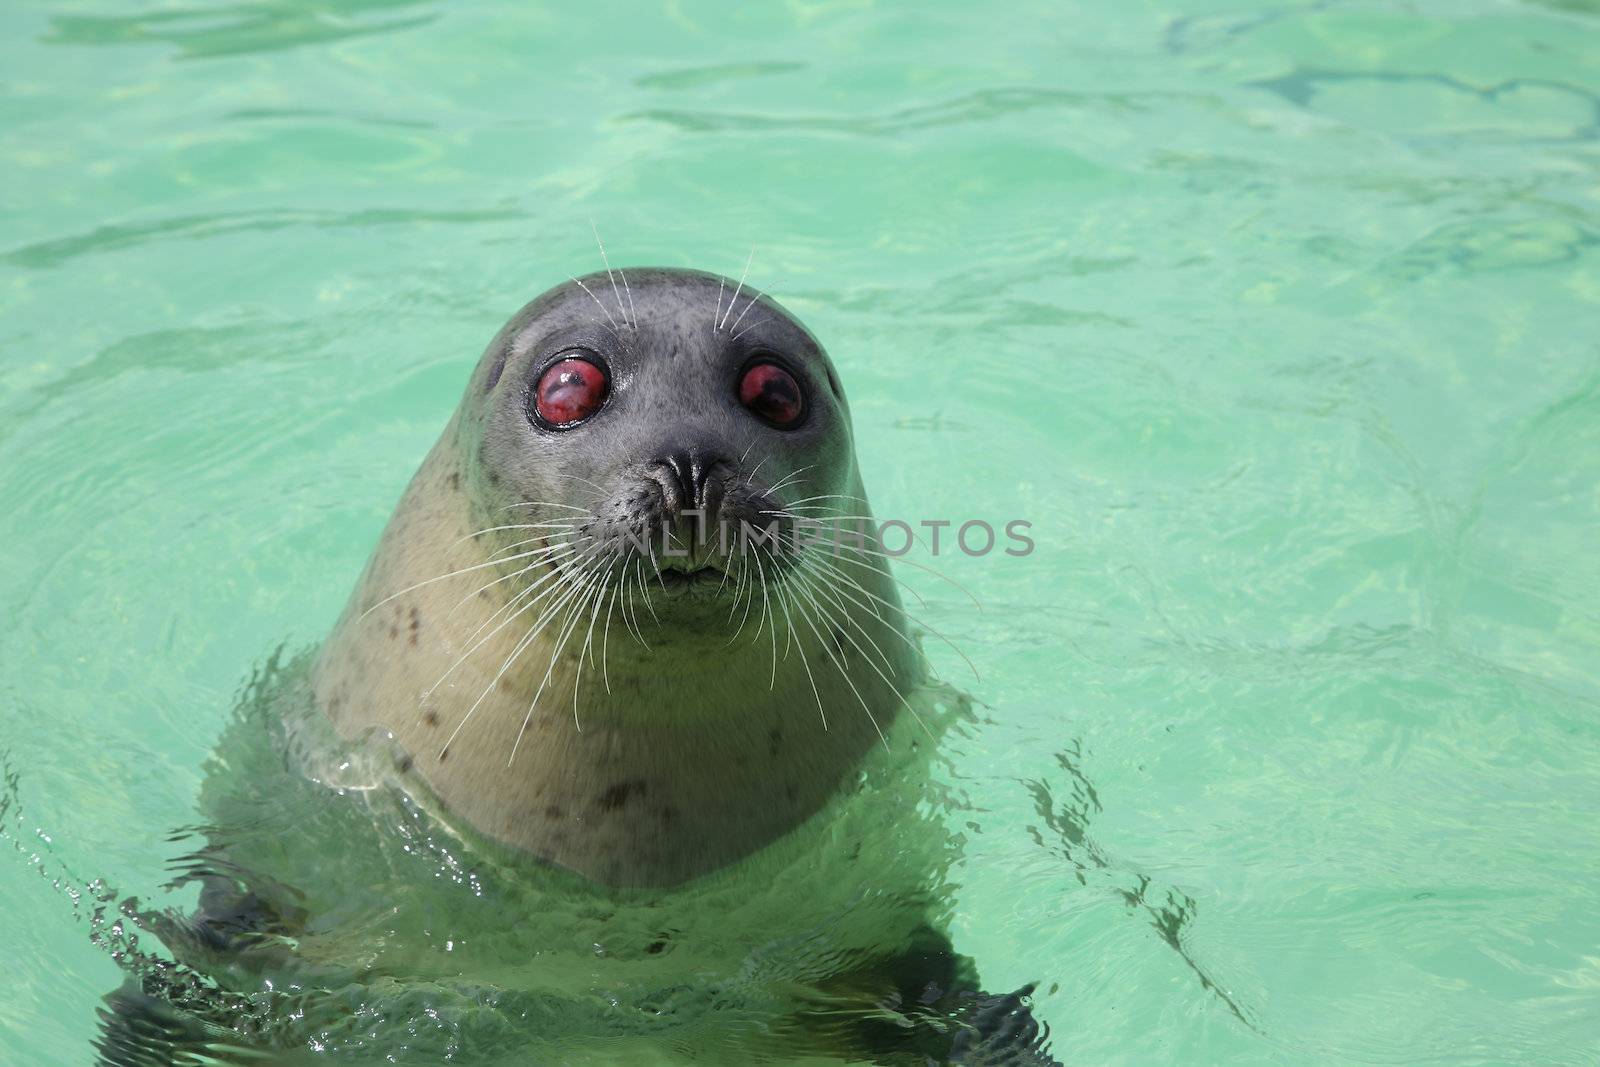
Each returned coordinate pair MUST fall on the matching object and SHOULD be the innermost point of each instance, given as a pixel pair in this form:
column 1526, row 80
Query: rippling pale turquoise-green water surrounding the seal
column 1279, row 326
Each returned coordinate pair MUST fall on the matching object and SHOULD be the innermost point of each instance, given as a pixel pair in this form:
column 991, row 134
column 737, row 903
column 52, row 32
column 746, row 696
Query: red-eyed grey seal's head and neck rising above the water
column 630, row 617
